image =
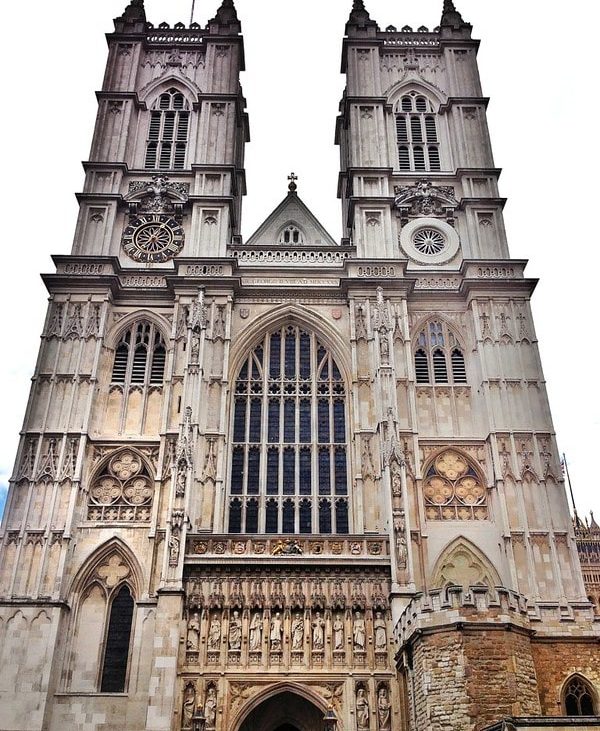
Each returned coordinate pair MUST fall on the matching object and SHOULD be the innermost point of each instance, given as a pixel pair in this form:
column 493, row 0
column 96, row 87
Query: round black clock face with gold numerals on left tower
column 153, row 237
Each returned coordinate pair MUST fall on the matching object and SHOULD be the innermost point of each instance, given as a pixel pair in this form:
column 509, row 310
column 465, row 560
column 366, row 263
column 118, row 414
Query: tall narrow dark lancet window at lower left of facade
column 114, row 669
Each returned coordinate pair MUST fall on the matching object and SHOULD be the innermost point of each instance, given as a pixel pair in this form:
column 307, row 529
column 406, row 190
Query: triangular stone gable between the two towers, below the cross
column 291, row 224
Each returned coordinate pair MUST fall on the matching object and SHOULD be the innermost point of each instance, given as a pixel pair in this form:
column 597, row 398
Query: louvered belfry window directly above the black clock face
column 168, row 132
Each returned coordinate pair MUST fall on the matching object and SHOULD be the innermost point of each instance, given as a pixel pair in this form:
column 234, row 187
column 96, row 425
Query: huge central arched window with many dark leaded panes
column 289, row 460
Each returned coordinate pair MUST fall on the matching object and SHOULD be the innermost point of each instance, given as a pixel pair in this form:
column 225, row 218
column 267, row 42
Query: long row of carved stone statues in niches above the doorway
column 302, row 631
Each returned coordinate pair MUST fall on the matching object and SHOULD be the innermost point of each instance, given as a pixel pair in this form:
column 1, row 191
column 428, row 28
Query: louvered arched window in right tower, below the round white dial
column 439, row 357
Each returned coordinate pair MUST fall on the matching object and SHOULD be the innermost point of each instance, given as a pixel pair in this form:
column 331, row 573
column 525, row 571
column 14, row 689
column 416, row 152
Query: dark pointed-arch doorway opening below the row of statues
column 284, row 712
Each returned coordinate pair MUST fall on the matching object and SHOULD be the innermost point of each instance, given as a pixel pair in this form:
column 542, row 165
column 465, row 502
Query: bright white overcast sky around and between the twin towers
column 538, row 63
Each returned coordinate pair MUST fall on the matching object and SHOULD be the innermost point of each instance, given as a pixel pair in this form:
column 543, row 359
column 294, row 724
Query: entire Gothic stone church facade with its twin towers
column 290, row 483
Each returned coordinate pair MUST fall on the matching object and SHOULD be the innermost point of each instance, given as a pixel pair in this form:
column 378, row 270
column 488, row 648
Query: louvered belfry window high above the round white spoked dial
column 417, row 134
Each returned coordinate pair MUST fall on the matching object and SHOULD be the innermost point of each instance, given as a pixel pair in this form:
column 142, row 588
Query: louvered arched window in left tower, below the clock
column 140, row 356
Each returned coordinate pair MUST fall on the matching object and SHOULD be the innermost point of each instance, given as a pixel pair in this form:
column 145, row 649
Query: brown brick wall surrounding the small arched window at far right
column 556, row 661
